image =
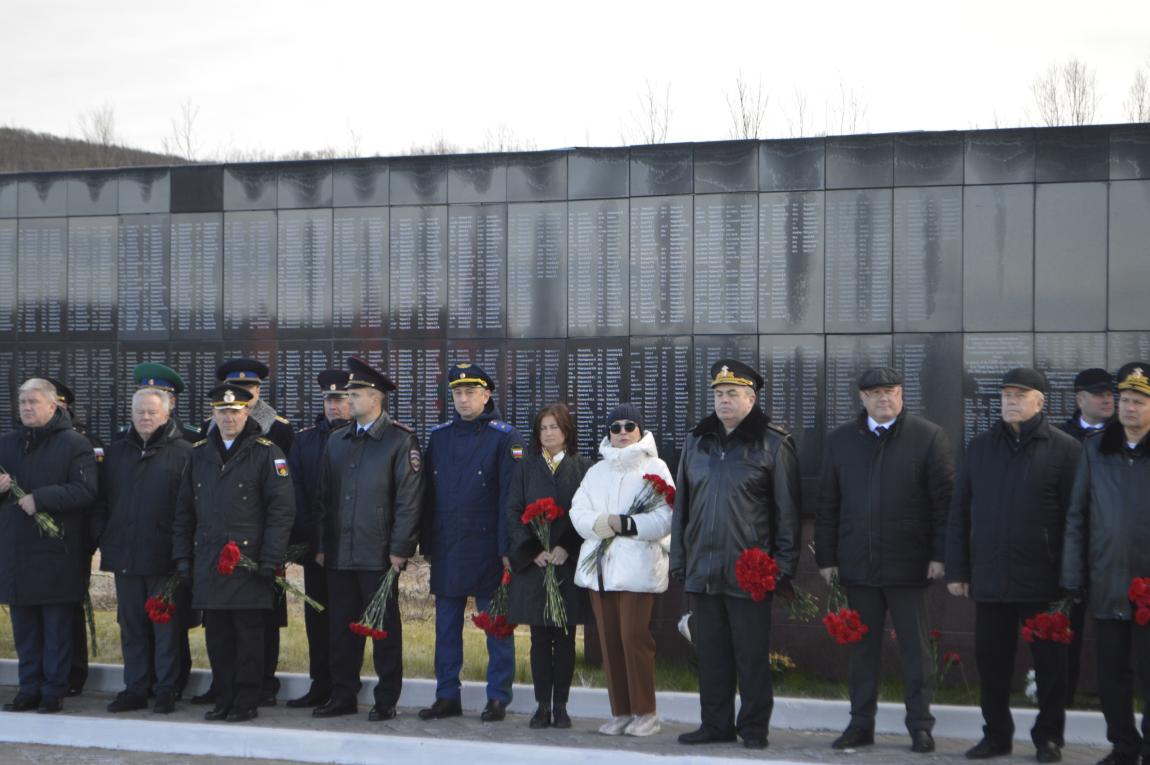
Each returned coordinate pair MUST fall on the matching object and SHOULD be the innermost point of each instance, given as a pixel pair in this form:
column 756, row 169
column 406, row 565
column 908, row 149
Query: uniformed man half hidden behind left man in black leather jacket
column 305, row 462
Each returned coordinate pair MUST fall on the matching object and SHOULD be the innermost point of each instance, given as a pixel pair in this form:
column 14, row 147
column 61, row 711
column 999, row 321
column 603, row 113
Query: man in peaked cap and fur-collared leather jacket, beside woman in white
column 738, row 489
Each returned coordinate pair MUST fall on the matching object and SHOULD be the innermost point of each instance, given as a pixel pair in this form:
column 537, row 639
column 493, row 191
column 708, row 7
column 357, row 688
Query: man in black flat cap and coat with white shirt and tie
column 881, row 530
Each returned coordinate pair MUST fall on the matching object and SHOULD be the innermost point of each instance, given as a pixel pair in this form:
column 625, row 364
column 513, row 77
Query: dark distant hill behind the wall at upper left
column 22, row 151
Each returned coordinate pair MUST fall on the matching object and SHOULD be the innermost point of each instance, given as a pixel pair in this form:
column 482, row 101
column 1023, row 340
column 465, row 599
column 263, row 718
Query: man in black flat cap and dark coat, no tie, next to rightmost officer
column 1003, row 550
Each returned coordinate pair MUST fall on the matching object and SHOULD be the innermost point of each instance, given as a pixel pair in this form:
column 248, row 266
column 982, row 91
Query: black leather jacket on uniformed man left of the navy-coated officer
column 371, row 496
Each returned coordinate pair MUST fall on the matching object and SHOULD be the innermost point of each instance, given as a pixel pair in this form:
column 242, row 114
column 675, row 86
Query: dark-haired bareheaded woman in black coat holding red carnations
column 554, row 469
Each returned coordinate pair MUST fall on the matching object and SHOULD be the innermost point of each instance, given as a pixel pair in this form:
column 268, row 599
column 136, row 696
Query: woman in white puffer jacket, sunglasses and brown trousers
column 633, row 571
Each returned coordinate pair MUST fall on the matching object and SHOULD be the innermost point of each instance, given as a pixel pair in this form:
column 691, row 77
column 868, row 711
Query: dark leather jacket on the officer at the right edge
column 1107, row 531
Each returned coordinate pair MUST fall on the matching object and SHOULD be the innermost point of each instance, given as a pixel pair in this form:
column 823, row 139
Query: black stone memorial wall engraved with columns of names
column 597, row 276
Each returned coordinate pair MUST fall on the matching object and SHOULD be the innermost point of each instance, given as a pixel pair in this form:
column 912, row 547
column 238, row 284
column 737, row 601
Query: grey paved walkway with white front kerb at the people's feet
column 410, row 740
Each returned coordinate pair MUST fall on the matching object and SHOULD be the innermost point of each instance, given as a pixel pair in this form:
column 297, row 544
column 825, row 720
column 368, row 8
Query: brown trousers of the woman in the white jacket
column 628, row 649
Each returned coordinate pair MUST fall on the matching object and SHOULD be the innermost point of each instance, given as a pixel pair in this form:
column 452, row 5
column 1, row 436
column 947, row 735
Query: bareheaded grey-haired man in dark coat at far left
column 48, row 484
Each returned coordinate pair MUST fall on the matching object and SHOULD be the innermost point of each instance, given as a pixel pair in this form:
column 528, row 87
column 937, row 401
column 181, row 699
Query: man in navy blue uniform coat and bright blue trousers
column 465, row 534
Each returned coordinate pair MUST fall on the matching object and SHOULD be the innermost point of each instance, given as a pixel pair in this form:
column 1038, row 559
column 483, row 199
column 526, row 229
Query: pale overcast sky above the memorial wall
column 280, row 76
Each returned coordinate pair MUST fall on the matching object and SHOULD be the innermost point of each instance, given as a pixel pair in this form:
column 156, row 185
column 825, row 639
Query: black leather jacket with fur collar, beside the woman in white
column 734, row 493
